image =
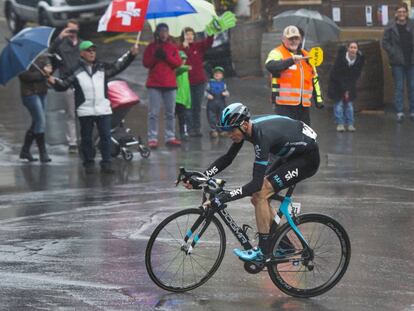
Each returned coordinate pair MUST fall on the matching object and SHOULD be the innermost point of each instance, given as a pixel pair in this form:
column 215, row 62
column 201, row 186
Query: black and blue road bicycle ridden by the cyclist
column 310, row 253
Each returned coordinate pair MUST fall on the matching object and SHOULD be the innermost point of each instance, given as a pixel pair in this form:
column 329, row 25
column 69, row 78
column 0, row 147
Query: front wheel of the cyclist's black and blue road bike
column 170, row 261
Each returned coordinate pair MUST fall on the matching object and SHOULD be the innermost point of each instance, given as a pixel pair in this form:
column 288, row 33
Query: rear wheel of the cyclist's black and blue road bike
column 308, row 273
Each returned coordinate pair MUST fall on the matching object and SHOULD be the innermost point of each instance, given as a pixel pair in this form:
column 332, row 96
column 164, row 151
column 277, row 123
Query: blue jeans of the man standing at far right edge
column 401, row 73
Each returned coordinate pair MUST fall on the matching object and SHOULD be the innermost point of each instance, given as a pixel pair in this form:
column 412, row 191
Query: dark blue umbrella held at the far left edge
column 22, row 50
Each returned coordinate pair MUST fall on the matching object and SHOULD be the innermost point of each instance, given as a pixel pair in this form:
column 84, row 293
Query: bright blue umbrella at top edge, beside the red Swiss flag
column 168, row 8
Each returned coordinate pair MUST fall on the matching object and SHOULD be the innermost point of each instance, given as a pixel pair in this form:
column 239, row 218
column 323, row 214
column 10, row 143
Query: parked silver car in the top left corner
column 52, row 12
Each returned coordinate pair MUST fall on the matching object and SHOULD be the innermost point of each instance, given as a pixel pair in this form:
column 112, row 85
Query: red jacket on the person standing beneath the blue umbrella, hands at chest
column 161, row 71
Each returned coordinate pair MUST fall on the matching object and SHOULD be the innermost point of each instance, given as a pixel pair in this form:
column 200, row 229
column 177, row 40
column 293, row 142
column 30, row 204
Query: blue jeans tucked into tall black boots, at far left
column 36, row 106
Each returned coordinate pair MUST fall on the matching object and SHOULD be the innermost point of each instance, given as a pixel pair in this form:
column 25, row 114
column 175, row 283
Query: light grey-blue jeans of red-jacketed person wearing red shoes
column 157, row 97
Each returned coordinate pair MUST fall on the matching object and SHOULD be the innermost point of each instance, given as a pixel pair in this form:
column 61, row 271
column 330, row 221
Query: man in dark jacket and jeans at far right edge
column 398, row 42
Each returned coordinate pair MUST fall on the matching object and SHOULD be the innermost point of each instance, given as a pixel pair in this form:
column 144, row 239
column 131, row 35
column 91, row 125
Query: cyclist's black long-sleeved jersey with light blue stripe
column 271, row 135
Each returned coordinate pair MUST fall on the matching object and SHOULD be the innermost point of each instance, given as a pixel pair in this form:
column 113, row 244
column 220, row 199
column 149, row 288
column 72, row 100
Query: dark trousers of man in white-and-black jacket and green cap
column 103, row 124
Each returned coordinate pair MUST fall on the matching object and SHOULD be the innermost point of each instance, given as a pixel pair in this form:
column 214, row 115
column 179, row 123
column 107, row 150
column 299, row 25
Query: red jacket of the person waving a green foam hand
column 195, row 53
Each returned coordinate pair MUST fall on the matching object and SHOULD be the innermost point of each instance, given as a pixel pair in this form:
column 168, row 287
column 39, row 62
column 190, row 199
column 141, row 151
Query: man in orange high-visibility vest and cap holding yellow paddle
column 295, row 82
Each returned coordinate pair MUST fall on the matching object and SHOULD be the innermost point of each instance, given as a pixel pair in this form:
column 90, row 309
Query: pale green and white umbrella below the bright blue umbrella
column 198, row 20
